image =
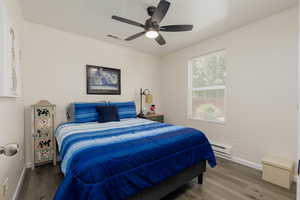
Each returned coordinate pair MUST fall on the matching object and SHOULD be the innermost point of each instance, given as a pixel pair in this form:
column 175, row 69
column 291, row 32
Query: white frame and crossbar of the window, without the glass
column 190, row 89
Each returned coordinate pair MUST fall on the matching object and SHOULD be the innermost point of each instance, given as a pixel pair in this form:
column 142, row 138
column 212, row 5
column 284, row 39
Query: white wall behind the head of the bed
column 55, row 70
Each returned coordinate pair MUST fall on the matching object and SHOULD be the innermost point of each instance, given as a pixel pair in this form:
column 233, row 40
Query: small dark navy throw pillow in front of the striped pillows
column 108, row 114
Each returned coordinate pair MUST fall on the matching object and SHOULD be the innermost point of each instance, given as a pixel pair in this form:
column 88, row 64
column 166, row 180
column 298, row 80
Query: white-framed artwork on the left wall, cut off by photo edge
column 10, row 59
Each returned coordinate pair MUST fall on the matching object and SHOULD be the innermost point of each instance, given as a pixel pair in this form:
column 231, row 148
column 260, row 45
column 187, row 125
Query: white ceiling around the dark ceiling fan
column 92, row 18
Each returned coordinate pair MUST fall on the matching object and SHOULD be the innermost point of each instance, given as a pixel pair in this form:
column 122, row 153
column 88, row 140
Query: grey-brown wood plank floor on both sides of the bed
column 228, row 181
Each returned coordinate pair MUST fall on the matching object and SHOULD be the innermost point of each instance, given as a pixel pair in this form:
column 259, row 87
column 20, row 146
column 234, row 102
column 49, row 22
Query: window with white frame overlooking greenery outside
column 207, row 75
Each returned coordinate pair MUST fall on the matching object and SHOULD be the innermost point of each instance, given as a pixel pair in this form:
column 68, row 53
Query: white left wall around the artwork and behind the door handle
column 12, row 119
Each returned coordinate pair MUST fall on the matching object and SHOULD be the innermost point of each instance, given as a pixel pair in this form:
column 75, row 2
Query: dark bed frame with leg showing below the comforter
column 171, row 184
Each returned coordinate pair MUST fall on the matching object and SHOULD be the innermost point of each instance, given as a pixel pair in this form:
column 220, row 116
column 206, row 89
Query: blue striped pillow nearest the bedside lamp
column 125, row 109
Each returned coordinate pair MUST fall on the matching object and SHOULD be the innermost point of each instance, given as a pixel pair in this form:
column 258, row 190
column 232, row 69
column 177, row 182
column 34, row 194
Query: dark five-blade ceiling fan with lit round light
column 152, row 25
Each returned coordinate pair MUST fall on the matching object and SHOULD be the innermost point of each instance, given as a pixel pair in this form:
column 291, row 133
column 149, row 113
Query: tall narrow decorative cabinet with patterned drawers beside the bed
column 43, row 141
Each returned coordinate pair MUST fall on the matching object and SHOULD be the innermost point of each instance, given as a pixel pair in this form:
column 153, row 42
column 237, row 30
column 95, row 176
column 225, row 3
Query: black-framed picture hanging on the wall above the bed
column 103, row 80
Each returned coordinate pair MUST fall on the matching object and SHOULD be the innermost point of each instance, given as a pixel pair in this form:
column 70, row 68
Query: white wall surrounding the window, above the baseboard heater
column 261, row 95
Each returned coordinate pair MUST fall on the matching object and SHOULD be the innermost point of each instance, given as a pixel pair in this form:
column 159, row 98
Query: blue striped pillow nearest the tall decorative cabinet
column 85, row 112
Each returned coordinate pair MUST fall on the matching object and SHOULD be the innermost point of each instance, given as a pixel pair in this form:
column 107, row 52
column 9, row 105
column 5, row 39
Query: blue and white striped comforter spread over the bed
column 118, row 159
